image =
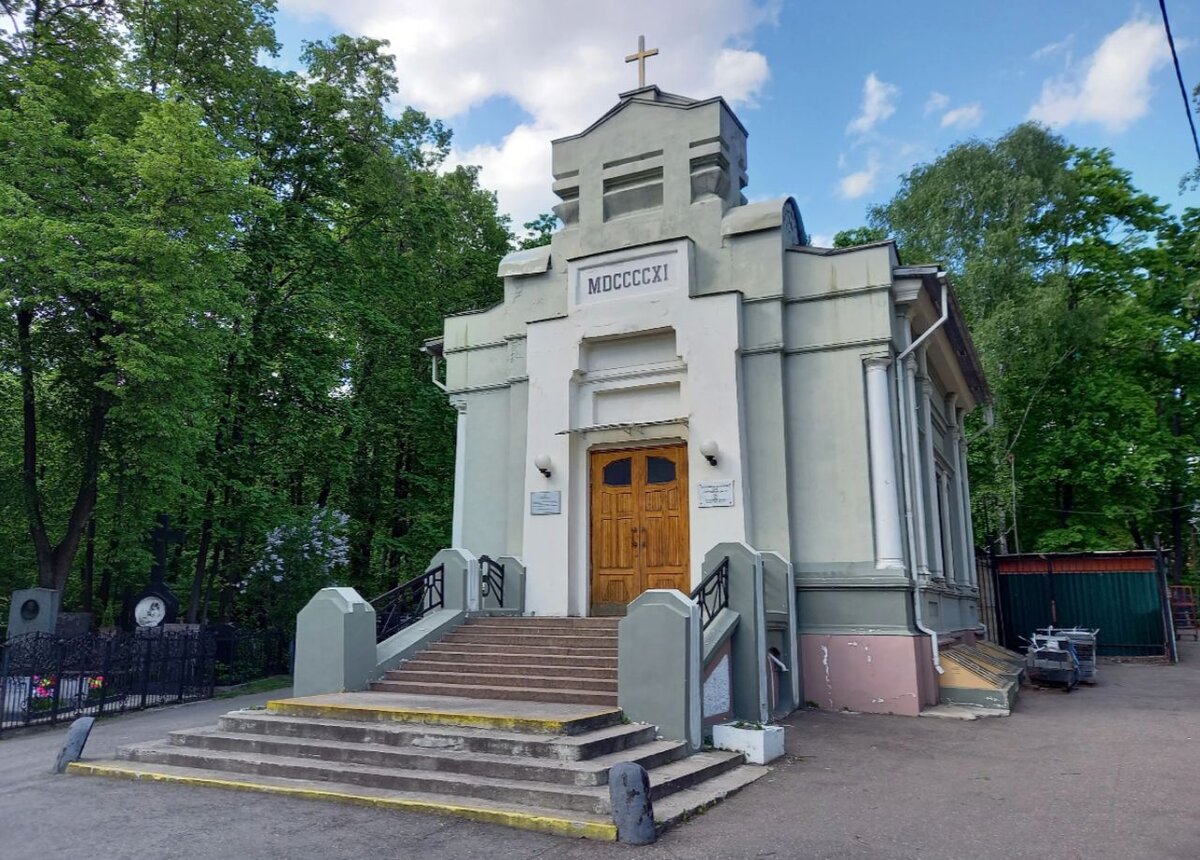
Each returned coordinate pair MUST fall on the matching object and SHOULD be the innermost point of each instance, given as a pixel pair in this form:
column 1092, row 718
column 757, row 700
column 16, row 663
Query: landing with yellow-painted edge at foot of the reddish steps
column 455, row 708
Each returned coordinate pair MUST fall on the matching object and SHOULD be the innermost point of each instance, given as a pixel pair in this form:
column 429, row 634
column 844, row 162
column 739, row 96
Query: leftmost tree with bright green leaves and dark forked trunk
column 117, row 222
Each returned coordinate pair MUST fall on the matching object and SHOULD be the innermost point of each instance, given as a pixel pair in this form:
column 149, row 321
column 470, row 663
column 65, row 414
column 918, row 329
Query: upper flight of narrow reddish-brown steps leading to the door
column 562, row 660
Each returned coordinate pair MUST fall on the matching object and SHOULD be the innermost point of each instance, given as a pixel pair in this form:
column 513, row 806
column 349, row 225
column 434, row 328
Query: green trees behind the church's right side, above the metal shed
column 1081, row 296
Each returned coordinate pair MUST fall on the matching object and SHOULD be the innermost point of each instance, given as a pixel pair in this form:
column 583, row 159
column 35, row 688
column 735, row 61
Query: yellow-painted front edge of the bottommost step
column 545, row 825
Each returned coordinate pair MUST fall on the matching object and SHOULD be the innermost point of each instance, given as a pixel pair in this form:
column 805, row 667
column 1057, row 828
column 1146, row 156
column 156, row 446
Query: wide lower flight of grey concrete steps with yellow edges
column 532, row 766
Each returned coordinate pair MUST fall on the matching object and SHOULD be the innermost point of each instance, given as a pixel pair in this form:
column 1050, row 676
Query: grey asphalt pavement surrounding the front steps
column 1105, row 773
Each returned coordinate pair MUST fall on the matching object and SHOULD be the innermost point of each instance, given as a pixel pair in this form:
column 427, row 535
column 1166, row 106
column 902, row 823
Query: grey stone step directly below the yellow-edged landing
column 461, row 739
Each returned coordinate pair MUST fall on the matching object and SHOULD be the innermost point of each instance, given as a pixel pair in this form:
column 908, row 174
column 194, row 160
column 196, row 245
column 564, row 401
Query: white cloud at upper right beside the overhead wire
column 1112, row 87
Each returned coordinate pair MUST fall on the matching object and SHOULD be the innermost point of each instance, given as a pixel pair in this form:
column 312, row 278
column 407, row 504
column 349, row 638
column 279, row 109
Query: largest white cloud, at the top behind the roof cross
column 562, row 63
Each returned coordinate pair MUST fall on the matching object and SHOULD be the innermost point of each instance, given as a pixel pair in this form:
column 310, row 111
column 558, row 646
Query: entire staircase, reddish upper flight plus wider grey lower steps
column 509, row 720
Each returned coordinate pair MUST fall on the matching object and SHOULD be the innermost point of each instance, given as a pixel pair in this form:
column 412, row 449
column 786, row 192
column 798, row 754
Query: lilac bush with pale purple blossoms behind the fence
column 298, row 561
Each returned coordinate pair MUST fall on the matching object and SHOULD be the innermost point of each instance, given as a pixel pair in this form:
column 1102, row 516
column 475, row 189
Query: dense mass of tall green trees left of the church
column 217, row 280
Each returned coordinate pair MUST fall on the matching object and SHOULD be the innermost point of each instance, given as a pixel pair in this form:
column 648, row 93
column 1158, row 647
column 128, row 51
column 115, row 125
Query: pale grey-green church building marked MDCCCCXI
column 681, row 369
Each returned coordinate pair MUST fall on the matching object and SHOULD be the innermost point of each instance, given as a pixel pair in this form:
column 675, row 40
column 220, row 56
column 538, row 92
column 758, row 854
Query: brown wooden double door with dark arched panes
column 639, row 525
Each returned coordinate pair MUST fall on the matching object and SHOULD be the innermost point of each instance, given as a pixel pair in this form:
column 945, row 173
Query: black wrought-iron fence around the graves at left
column 46, row 679
